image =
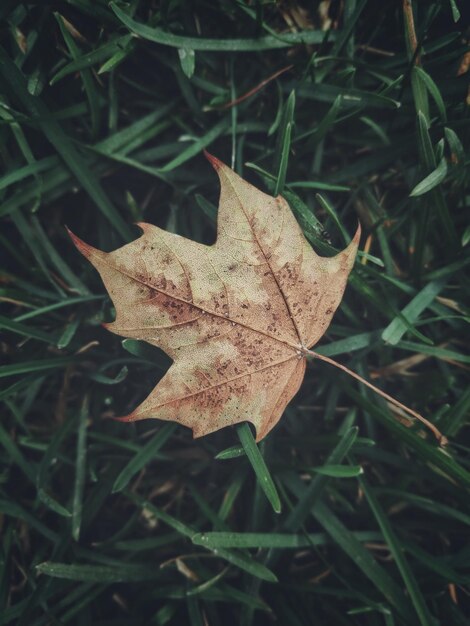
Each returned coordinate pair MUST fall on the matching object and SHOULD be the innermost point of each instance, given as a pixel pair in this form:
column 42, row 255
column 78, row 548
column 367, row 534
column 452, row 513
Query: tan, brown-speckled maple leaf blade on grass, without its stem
column 236, row 317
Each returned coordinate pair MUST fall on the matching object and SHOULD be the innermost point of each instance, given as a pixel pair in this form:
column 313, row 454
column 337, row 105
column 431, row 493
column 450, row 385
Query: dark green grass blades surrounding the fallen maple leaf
column 105, row 111
